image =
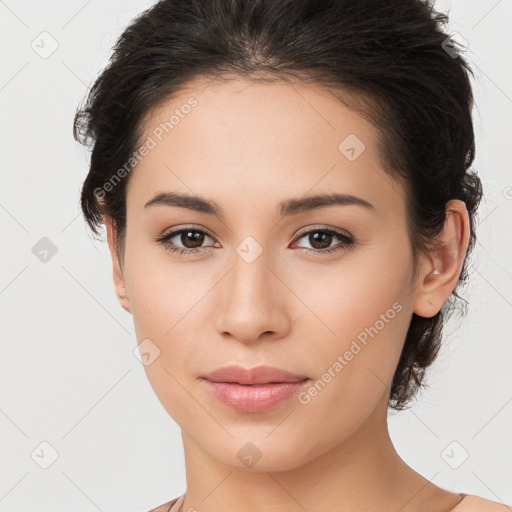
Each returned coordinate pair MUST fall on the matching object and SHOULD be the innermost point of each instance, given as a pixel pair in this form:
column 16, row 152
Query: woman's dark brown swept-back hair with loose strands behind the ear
column 391, row 61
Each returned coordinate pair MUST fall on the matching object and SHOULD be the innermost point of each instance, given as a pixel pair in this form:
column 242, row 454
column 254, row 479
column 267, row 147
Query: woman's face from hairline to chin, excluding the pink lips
column 322, row 292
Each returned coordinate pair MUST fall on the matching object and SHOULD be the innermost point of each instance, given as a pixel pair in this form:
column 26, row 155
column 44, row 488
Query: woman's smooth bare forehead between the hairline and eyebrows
column 247, row 140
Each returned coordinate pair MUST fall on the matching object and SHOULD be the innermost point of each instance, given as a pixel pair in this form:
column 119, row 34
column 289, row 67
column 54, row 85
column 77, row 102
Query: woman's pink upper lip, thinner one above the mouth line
column 258, row 375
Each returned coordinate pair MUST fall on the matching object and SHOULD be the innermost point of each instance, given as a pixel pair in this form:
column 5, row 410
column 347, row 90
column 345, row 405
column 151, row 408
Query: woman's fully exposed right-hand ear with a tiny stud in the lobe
column 440, row 272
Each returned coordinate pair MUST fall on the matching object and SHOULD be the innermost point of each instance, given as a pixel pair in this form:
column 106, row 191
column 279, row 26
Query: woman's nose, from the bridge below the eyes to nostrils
column 252, row 302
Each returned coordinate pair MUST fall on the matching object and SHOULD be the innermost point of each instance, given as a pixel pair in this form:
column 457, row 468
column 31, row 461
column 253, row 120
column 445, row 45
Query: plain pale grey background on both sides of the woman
column 68, row 376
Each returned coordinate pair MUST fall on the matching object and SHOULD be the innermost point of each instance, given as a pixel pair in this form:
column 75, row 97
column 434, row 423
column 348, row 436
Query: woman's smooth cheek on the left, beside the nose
column 165, row 301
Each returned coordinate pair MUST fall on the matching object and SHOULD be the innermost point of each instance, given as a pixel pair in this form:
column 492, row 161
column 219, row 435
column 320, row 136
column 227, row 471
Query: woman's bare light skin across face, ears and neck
column 248, row 146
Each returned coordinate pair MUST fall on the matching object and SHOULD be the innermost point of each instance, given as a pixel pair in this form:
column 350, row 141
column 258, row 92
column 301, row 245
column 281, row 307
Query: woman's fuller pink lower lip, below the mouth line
column 257, row 398
